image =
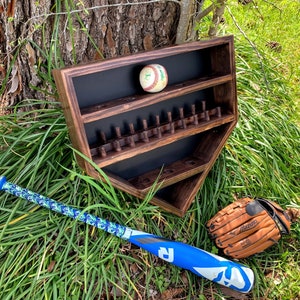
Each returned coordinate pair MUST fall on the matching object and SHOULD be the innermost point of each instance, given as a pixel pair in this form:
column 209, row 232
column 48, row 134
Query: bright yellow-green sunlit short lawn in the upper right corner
column 272, row 28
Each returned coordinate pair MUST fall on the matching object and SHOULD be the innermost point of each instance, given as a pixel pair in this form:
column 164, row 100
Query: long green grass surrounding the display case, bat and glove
column 44, row 255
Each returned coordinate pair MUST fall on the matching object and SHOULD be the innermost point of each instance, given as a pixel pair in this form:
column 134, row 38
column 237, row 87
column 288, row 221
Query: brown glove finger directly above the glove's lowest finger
column 246, row 229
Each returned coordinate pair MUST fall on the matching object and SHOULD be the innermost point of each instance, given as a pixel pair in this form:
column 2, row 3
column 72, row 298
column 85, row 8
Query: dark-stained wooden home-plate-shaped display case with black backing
column 172, row 137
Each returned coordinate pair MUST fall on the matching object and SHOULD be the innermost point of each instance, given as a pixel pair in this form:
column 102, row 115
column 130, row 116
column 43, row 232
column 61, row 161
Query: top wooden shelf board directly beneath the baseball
column 117, row 106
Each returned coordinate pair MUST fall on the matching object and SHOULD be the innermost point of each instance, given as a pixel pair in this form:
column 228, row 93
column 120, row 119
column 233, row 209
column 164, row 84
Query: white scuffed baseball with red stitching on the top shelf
column 153, row 78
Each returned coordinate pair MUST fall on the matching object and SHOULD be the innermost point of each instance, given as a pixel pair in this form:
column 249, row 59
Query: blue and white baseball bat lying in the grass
column 198, row 261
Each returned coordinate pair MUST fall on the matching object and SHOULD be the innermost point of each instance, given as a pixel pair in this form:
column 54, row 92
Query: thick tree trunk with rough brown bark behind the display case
column 38, row 36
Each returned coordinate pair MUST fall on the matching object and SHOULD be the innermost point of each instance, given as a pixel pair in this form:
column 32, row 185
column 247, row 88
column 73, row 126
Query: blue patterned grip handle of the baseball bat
column 110, row 227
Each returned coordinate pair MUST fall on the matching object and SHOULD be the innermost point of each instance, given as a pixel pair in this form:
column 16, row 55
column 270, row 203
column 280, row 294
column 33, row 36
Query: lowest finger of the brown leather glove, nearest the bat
column 258, row 242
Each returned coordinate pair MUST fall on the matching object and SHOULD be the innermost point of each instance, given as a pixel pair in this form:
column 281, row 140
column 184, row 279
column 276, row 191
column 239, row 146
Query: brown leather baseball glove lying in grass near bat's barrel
column 248, row 226
